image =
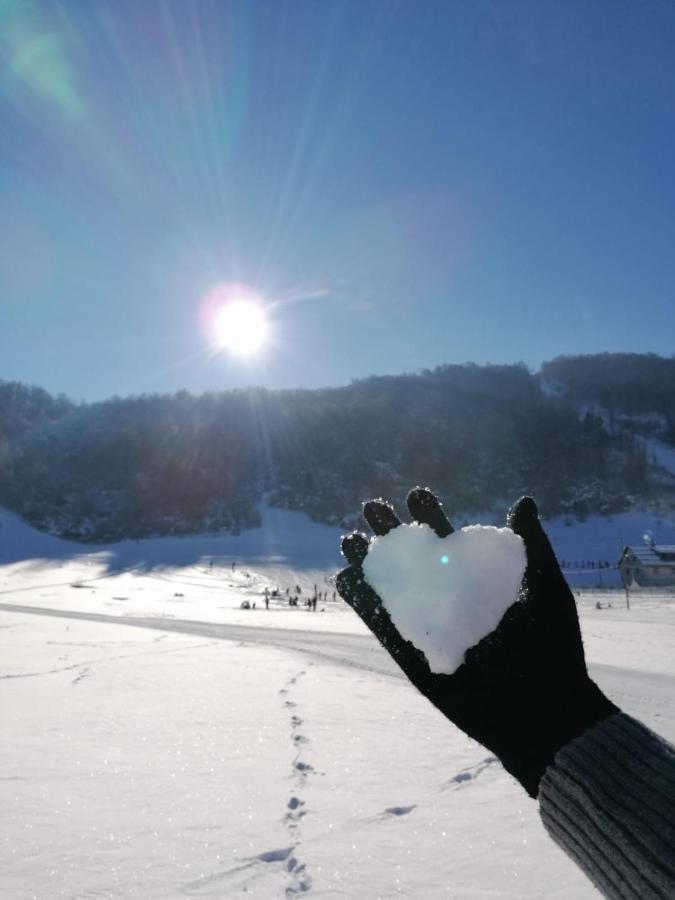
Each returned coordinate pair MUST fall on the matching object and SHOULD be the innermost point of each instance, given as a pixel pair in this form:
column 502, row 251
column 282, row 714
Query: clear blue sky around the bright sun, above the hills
column 403, row 183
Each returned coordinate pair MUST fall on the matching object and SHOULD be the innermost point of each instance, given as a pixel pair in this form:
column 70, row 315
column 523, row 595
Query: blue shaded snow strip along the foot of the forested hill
column 290, row 548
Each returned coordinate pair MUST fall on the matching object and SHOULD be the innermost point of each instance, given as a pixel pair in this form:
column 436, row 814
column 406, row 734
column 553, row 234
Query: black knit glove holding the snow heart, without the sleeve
column 523, row 691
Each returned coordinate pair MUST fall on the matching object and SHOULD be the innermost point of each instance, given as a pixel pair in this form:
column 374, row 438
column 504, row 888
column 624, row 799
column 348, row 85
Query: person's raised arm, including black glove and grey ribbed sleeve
column 605, row 783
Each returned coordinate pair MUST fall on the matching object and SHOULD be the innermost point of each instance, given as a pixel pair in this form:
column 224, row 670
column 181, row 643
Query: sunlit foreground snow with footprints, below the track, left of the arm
column 153, row 765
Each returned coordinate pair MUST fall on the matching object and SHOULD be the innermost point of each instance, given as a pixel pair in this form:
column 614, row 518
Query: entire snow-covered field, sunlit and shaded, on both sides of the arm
column 161, row 742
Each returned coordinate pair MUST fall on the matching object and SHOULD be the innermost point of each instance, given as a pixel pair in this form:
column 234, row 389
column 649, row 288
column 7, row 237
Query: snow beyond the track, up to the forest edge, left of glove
column 189, row 577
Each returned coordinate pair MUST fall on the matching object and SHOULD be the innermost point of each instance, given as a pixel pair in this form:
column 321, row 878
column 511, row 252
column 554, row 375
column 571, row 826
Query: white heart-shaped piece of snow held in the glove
column 446, row 594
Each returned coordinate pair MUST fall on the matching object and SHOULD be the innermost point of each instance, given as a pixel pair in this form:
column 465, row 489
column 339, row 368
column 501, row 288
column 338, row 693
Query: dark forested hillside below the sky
column 481, row 435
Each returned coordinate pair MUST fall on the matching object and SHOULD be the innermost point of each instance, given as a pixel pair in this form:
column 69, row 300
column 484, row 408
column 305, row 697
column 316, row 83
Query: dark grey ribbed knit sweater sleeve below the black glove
column 609, row 801
